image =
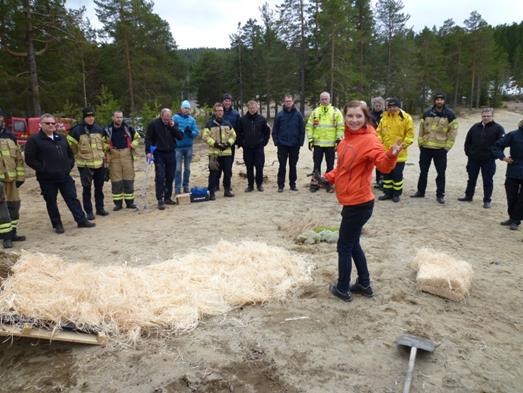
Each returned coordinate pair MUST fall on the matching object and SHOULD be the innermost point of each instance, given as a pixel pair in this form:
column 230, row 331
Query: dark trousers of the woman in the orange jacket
column 349, row 248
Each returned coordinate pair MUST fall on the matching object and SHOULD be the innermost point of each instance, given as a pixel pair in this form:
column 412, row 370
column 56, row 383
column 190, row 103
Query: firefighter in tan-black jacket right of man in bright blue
column 220, row 137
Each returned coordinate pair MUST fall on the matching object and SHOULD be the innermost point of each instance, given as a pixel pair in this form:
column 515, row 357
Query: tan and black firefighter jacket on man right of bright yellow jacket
column 438, row 130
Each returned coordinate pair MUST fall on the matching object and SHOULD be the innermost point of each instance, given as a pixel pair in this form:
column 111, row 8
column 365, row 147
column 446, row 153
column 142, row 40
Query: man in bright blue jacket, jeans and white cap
column 183, row 152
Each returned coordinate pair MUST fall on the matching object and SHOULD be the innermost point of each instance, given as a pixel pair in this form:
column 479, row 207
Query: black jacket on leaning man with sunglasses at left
column 51, row 159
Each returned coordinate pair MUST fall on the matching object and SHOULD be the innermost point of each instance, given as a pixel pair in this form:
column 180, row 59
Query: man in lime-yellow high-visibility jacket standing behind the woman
column 325, row 129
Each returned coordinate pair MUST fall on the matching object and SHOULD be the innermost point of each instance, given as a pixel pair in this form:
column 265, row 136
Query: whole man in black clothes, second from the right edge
column 478, row 147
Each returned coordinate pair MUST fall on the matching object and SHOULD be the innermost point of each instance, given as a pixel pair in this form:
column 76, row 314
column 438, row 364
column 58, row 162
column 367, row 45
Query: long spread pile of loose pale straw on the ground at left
column 126, row 302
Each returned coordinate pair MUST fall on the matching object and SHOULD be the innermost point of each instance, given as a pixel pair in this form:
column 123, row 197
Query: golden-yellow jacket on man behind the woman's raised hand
column 394, row 127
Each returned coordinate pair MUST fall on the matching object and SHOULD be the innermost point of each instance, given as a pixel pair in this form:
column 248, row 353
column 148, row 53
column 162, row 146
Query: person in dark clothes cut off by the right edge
column 514, row 175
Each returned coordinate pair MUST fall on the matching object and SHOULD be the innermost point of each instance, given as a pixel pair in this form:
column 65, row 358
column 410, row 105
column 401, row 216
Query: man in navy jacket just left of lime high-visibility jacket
column 288, row 135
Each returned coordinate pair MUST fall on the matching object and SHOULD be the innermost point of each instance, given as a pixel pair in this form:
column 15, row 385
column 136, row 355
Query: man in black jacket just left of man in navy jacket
column 252, row 136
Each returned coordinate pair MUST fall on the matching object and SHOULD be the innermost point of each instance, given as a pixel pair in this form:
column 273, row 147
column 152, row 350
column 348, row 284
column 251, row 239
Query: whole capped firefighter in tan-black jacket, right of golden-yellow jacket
column 437, row 132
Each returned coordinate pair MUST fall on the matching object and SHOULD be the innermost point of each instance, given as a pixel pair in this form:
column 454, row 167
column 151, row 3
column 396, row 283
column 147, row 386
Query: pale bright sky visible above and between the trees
column 208, row 23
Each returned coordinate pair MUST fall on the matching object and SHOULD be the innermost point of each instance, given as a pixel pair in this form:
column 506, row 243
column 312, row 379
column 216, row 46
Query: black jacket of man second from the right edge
column 481, row 139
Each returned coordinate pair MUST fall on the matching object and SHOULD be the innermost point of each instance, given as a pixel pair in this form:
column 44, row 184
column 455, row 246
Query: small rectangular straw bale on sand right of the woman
column 442, row 275
